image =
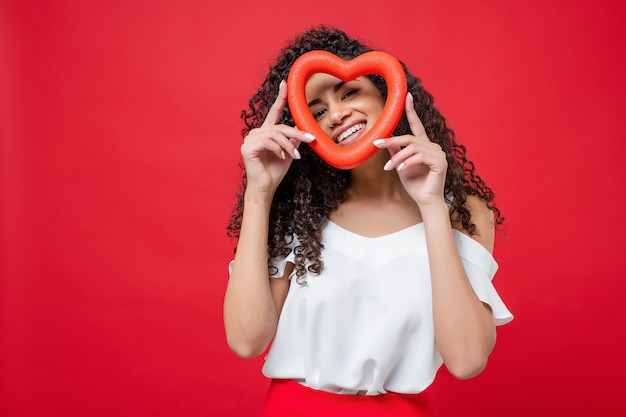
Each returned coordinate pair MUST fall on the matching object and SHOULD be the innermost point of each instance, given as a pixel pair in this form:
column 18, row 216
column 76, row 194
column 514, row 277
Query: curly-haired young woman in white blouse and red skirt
column 364, row 281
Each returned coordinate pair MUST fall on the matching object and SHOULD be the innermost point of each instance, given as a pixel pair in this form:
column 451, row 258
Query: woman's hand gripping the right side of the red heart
column 420, row 163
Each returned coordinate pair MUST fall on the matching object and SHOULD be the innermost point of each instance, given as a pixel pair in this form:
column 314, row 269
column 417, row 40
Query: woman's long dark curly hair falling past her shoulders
column 312, row 189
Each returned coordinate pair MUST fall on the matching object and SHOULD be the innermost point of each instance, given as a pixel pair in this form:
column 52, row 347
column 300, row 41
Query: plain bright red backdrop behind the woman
column 119, row 124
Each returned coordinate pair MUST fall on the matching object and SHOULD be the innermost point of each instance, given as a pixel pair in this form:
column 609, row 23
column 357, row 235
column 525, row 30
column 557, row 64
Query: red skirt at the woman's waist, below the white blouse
column 288, row 398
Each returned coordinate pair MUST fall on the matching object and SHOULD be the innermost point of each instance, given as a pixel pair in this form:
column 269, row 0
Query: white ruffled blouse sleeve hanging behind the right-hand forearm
column 480, row 267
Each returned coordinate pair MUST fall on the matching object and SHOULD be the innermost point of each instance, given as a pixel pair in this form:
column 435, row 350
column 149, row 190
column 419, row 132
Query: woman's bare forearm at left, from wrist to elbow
column 250, row 315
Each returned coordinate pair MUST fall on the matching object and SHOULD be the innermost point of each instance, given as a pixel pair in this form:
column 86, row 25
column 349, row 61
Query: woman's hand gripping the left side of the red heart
column 268, row 151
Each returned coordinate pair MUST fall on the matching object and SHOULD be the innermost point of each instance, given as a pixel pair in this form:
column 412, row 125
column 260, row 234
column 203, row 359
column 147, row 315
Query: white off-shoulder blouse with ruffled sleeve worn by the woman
column 364, row 325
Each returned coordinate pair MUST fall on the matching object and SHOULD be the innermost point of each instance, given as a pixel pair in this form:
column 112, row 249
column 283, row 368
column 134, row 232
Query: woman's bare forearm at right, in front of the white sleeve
column 464, row 329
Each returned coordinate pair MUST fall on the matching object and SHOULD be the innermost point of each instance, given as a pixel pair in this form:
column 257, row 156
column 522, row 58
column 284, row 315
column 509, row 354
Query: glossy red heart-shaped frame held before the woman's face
column 373, row 62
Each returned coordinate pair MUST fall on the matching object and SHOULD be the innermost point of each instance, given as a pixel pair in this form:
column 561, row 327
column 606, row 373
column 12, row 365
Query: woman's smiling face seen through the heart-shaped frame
column 344, row 110
